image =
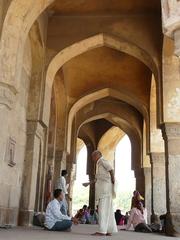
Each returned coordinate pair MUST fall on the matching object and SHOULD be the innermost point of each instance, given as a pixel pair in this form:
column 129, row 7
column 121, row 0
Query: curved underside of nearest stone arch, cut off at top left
column 18, row 21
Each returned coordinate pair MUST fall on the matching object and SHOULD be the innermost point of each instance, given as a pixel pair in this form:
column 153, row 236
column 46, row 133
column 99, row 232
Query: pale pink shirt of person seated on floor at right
column 136, row 217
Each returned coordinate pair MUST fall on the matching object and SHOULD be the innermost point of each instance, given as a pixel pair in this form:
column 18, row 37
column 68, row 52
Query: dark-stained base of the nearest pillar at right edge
column 173, row 224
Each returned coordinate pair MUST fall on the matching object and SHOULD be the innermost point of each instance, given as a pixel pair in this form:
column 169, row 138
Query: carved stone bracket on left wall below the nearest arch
column 7, row 95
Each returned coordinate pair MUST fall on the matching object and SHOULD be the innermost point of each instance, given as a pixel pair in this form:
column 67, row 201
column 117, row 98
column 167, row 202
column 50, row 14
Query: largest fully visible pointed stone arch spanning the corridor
column 90, row 43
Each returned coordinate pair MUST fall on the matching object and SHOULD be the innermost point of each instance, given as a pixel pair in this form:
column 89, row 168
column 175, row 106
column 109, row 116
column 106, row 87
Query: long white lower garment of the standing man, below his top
column 107, row 222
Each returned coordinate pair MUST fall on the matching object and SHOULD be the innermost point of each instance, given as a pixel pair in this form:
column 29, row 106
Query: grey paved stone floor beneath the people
column 80, row 232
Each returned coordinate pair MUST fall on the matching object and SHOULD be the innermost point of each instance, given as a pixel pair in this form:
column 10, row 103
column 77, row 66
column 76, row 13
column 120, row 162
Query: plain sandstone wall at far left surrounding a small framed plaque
column 11, row 177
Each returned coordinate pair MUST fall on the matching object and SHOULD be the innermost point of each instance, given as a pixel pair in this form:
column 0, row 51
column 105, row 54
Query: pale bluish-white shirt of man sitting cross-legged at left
column 53, row 214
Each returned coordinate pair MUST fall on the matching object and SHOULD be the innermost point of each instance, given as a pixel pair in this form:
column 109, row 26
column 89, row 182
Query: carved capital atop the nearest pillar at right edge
column 171, row 130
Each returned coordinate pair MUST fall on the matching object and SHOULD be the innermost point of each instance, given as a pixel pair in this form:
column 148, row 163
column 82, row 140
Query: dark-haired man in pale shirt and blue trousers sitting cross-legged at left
column 54, row 219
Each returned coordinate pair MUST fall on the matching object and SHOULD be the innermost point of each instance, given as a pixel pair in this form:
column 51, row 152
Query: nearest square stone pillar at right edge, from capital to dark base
column 171, row 135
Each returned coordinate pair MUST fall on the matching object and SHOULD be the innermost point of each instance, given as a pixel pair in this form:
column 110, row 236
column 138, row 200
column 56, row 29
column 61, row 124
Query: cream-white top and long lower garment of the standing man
column 104, row 196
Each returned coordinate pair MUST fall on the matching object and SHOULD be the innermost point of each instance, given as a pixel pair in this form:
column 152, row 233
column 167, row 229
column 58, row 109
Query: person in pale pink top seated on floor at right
column 137, row 218
